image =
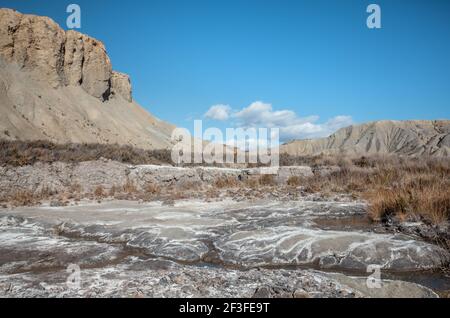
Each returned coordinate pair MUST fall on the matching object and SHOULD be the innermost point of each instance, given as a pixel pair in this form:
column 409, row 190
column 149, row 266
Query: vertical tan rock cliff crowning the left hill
column 38, row 44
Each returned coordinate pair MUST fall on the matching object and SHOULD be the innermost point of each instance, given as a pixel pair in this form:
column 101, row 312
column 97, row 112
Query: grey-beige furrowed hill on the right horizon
column 412, row 138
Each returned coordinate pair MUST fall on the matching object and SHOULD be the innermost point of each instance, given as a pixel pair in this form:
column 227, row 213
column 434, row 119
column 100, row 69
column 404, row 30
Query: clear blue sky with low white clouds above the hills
column 304, row 62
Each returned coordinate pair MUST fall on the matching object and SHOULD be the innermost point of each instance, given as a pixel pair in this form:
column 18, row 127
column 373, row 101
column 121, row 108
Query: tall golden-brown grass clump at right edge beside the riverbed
column 413, row 187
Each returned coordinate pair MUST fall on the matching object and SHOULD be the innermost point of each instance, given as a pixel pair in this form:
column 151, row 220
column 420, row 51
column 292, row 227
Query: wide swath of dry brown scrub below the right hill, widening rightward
column 393, row 186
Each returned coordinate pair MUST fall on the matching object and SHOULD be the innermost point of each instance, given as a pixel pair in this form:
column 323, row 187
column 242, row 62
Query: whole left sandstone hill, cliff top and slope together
column 59, row 85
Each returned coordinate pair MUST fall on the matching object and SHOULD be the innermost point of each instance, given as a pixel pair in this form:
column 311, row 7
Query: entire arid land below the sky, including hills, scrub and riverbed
column 87, row 186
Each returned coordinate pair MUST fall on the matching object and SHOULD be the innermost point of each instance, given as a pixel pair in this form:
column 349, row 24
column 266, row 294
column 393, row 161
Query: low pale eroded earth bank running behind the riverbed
column 59, row 176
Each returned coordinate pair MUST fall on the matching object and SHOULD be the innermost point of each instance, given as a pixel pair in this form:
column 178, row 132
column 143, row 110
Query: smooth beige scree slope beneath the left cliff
column 32, row 110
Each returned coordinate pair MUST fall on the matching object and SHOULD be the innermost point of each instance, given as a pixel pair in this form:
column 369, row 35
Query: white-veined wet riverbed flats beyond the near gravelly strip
column 325, row 236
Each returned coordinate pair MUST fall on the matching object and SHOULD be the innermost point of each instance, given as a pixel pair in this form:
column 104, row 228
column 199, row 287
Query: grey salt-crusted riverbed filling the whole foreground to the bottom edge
column 222, row 248
